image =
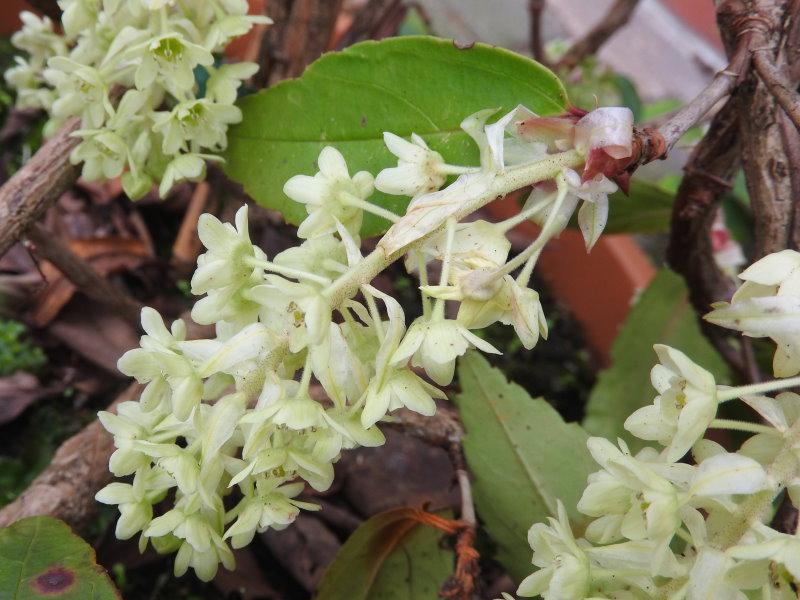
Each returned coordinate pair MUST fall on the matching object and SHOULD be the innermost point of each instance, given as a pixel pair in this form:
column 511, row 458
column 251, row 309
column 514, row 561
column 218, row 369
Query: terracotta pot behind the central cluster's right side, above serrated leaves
column 597, row 287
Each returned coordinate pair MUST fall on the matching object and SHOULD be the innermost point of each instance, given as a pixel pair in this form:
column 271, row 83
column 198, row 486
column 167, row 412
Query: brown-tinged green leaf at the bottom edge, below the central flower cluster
column 392, row 556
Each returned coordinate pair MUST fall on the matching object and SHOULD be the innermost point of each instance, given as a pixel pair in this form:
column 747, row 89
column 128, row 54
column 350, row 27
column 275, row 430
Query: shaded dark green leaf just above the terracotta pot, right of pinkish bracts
column 648, row 209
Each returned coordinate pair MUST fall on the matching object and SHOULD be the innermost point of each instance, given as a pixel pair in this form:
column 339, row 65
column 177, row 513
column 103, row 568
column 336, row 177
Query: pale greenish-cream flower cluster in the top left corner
column 146, row 53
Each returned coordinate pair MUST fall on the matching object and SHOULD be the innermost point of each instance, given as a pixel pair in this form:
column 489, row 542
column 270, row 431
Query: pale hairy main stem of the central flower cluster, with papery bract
column 504, row 183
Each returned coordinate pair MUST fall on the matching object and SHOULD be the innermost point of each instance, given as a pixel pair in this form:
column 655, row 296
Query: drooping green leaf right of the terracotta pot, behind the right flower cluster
column 662, row 315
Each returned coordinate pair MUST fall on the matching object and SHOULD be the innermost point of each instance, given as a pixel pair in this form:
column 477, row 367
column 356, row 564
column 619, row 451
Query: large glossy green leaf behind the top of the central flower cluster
column 348, row 99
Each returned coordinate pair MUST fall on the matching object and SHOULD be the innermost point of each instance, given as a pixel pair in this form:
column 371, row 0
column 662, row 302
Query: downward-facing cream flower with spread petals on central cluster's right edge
column 435, row 344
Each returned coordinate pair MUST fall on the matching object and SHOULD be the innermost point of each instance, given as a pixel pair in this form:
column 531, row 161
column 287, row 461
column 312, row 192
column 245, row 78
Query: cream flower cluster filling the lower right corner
column 695, row 530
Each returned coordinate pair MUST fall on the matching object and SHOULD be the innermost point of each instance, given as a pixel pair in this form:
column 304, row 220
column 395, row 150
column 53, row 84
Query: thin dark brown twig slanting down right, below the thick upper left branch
column 81, row 274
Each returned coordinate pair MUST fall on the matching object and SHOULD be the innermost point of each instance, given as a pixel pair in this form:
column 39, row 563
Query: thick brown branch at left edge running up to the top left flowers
column 32, row 189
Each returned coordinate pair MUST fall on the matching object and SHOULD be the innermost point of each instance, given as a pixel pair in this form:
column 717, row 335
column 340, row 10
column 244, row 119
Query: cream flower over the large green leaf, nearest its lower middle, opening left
column 420, row 170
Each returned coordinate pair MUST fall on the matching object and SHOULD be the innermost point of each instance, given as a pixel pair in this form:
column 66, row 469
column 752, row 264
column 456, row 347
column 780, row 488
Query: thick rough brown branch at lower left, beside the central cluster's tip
column 66, row 488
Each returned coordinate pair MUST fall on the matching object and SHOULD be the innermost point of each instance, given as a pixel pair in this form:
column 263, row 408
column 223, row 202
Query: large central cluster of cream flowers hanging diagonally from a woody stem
column 308, row 356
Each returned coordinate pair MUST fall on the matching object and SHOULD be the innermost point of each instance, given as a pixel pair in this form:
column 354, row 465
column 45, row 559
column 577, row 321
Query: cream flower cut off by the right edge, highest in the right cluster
column 768, row 305
